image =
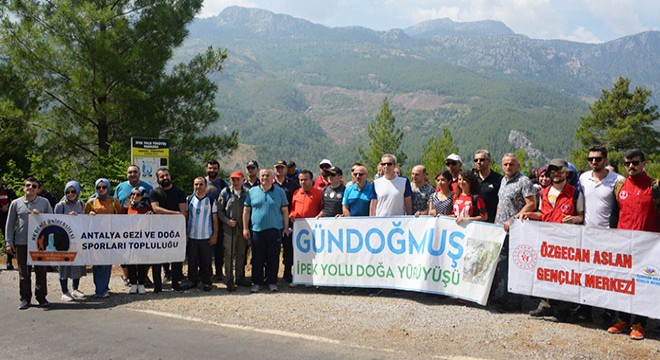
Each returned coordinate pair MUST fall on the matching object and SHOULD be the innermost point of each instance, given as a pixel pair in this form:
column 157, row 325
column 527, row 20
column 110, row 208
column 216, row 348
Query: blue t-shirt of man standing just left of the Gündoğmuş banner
column 266, row 207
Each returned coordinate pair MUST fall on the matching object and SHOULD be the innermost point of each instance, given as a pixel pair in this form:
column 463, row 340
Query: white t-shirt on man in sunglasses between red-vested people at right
column 598, row 198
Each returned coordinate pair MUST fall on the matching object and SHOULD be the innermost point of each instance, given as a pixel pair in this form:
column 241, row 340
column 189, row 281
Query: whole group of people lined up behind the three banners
column 258, row 208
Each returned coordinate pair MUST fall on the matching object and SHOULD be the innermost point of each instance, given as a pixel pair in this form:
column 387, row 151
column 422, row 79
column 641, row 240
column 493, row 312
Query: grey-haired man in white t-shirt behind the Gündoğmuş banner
column 392, row 193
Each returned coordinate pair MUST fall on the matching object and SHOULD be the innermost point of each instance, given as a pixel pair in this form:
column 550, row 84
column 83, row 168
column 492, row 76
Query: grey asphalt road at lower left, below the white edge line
column 91, row 330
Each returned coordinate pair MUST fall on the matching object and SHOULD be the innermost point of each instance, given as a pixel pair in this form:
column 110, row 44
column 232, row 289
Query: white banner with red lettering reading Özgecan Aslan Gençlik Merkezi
column 607, row 268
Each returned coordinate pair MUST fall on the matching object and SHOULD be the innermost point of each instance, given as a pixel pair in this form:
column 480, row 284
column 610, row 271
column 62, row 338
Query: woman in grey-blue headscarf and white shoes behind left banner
column 72, row 205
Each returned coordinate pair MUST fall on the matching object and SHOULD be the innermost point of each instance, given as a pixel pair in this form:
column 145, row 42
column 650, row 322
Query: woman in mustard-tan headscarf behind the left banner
column 102, row 203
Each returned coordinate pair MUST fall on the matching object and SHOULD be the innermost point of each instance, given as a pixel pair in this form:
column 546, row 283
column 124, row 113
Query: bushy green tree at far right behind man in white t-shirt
column 620, row 120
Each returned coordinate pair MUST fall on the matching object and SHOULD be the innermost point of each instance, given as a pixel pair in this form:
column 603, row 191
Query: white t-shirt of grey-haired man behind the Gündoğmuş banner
column 390, row 195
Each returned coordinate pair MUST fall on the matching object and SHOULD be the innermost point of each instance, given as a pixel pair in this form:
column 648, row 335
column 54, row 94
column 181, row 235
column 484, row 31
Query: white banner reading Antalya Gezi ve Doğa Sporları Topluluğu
column 55, row 239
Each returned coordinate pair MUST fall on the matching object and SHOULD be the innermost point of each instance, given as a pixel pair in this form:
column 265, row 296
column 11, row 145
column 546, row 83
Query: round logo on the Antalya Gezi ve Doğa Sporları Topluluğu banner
column 53, row 239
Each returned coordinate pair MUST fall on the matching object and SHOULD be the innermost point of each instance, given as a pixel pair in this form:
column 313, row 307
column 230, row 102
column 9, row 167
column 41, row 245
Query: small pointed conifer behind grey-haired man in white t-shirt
column 384, row 138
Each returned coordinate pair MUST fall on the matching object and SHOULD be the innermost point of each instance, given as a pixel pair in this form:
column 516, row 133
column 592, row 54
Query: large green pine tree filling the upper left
column 102, row 73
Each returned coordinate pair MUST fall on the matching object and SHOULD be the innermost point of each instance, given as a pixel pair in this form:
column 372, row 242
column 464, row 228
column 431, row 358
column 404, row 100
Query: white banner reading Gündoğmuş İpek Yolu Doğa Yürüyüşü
column 425, row 254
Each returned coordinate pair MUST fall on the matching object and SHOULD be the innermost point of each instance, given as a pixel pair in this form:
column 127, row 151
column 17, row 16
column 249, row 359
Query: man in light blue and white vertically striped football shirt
column 202, row 234
